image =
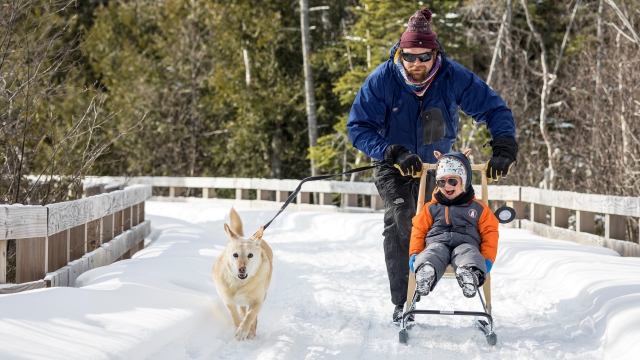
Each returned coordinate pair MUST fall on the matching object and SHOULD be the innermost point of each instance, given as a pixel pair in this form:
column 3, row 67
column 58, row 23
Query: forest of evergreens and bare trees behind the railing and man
column 217, row 88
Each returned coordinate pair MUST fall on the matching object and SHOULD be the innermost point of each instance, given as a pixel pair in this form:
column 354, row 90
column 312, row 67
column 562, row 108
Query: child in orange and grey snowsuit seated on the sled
column 453, row 228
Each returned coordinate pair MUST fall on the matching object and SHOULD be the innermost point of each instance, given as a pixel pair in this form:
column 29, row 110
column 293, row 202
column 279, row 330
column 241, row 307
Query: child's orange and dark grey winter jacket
column 472, row 222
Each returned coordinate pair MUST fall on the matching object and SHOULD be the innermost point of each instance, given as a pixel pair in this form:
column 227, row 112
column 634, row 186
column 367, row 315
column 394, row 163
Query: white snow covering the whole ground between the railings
column 329, row 299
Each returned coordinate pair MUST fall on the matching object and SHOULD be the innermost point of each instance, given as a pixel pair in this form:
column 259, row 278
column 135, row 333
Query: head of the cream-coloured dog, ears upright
column 245, row 253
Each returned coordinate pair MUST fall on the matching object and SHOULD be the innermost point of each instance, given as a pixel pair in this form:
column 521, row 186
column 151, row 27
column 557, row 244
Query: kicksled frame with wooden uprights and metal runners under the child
column 486, row 326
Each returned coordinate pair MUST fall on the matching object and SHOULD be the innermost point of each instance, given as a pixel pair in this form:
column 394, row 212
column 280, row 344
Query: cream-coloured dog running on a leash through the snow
column 242, row 274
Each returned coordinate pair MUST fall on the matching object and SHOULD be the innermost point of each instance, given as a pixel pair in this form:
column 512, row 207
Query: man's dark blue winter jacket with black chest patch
column 386, row 111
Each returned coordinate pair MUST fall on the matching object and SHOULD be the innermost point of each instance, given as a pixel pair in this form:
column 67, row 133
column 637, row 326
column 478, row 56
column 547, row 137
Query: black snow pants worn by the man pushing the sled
column 399, row 195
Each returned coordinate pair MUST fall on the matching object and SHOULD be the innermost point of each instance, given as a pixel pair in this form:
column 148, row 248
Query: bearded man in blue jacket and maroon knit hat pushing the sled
column 406, row 109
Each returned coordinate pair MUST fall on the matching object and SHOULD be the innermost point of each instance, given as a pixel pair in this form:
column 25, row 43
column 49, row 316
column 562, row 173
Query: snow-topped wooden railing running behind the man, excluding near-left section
column 542, row 211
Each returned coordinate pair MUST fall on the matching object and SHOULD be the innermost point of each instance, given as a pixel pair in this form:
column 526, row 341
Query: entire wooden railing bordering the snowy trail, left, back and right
column 58, row 242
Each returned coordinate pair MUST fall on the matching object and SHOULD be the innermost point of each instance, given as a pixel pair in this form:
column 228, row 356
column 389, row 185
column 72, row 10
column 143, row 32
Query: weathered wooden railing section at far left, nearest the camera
column 57, row 242
